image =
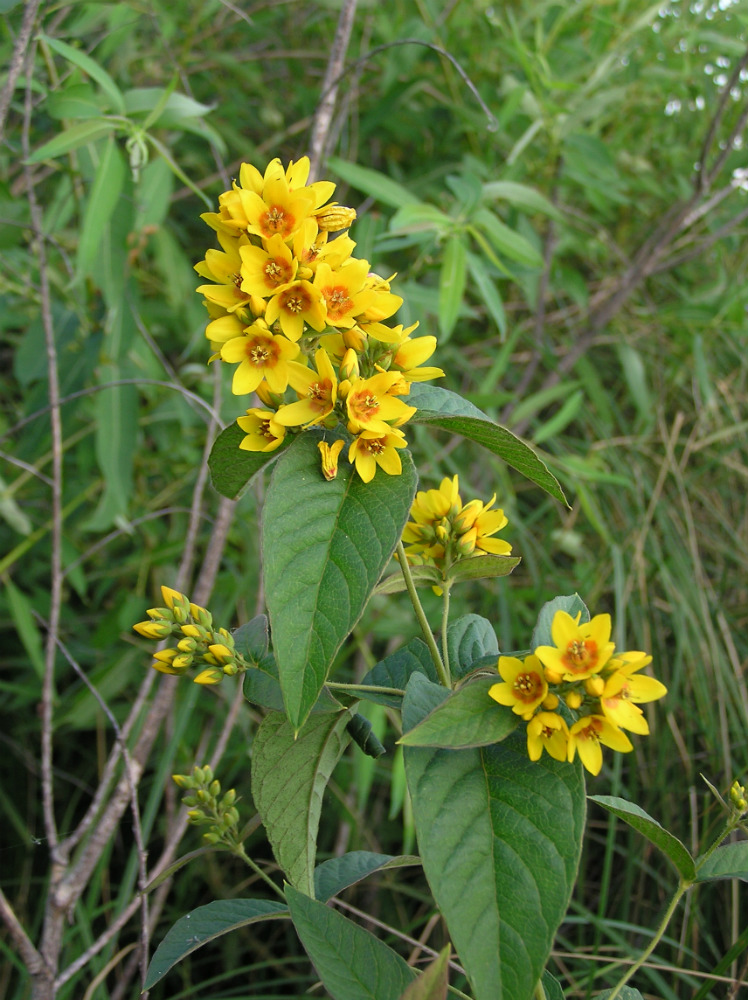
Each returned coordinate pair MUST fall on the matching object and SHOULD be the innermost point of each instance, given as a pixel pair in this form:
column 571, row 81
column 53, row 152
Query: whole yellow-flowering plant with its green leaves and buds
column 499, row 813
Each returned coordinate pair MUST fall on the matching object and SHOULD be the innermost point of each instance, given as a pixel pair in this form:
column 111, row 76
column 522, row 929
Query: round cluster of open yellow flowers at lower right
column 601, row 691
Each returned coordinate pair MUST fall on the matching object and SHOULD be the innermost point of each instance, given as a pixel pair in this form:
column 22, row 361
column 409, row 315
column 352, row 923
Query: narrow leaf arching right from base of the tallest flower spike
column 441, row 408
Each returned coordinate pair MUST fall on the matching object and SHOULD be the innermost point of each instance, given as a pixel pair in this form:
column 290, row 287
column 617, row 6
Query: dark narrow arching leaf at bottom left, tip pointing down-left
column 205, row 924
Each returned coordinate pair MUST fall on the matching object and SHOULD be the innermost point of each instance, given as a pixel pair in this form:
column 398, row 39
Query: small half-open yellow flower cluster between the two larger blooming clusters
column 444, row 530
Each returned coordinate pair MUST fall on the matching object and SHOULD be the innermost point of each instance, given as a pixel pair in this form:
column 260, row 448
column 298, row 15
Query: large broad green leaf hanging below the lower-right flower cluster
column 499, row 837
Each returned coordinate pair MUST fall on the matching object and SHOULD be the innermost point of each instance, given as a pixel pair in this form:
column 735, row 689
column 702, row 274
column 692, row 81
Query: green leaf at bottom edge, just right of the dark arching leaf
column 351, row 962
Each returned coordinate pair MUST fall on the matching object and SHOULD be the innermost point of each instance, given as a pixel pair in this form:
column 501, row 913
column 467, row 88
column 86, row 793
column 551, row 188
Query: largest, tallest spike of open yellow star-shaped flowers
column 292, row 308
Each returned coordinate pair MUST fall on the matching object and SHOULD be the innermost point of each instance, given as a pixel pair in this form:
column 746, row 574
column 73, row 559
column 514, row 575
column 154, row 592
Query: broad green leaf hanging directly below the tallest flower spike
column 325, row 546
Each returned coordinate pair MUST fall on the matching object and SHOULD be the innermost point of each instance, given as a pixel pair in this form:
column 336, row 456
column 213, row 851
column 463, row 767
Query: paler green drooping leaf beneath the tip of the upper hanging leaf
column 290, row 772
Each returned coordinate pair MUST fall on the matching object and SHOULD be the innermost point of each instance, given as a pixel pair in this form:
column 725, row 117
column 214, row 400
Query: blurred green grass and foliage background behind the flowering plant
column 561, row 189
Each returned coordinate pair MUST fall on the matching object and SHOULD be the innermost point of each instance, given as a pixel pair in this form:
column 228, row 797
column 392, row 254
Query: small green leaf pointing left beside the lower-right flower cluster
column 468, row 718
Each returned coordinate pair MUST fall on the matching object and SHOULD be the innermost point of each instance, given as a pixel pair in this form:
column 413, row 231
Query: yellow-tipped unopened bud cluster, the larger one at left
column 199, row 643
